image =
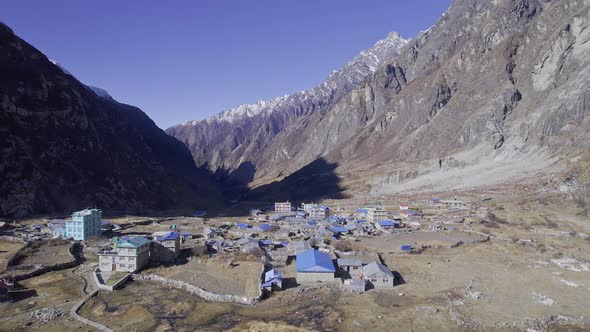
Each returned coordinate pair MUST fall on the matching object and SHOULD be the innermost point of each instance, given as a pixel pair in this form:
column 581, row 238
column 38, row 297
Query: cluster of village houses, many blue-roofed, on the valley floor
column 317, row 239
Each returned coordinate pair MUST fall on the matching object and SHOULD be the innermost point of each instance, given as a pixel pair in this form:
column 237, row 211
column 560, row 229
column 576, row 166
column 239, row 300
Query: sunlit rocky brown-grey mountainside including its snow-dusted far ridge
column 494, row 92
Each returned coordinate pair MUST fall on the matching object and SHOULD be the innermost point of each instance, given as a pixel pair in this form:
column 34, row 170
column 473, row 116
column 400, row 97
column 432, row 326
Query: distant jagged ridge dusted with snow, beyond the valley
column 233, row 141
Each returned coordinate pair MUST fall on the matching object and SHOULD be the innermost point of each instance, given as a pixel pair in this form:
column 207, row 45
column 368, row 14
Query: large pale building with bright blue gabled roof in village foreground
column 314, row 266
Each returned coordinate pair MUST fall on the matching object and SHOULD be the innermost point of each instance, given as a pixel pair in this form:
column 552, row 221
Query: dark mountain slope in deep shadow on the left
column 67, row 146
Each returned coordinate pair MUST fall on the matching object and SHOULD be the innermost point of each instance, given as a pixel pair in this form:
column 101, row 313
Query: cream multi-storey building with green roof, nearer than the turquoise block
column 129, row 254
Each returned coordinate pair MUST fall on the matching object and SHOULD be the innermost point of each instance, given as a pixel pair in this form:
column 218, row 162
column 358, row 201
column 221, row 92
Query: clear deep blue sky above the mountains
column 185, row 60
